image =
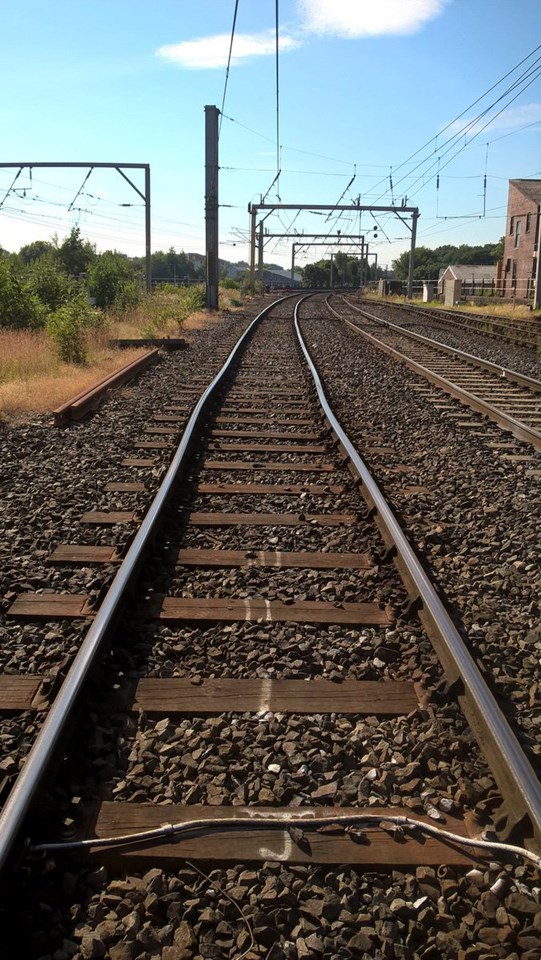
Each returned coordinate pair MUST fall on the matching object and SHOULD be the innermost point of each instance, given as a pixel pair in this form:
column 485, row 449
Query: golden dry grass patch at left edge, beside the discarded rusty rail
column 33, row 379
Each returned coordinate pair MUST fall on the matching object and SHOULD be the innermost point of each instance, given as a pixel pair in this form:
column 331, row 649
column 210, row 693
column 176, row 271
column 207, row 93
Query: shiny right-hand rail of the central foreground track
column 516, row 779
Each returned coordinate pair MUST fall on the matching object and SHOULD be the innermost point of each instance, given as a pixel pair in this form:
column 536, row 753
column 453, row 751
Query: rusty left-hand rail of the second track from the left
column 520, row 430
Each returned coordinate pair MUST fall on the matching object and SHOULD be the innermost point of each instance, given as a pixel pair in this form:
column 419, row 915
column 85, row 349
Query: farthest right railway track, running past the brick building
column 526, row 333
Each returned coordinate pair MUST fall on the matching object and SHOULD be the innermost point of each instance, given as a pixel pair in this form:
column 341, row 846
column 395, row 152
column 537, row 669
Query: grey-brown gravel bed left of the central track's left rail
column 49, row 478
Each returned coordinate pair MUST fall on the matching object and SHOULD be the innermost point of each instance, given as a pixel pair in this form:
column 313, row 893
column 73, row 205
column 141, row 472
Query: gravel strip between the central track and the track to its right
column 477, row 521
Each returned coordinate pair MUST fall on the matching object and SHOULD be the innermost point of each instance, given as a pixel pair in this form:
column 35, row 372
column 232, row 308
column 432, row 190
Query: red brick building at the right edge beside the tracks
column 522, row 240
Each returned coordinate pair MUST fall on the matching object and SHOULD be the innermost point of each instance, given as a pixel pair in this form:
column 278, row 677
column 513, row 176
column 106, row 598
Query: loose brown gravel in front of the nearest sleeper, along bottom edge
column 280, row 912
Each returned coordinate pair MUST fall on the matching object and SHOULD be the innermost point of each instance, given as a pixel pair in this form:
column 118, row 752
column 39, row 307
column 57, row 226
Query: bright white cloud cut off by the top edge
column 368, row 18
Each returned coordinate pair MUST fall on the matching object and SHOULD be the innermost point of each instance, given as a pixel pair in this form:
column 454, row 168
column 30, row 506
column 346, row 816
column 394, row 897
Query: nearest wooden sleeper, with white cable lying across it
column 253, row 845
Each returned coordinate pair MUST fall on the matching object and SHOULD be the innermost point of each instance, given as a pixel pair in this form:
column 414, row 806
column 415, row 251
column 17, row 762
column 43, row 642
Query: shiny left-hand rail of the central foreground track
column 37, row 761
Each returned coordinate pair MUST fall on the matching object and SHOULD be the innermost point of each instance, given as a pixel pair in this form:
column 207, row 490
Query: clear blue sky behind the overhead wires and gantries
column 363, row 85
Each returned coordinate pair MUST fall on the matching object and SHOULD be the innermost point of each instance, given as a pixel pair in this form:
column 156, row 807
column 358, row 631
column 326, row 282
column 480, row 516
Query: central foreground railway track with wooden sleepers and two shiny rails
column 270, row 741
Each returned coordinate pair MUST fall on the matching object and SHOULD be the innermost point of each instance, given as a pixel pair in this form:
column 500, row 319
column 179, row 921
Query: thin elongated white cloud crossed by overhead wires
column 210, row 53
